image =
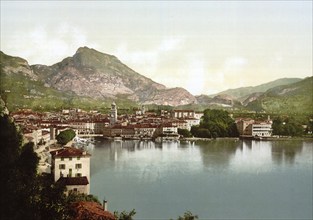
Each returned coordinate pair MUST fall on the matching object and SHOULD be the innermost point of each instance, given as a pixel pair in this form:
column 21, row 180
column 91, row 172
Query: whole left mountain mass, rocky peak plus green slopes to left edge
column 89, row 78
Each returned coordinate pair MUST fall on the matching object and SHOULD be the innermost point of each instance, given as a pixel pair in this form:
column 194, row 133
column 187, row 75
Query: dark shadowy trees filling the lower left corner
column 25, row 194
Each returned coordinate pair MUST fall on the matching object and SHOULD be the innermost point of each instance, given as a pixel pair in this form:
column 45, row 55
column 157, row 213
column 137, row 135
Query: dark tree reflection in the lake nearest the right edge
column 286, row 151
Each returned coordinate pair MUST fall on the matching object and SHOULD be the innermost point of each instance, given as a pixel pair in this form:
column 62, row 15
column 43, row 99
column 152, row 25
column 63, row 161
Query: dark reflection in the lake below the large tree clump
column 217, row 154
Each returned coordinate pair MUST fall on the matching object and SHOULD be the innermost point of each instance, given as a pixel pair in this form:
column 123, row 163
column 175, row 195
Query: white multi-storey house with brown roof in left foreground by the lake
column 71, row 167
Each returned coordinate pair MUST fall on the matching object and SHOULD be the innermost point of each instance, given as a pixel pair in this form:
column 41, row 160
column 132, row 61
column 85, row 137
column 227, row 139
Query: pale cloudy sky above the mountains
column 203, row 46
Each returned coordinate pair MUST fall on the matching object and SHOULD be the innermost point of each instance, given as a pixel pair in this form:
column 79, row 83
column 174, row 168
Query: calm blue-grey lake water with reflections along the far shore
column 215, row 180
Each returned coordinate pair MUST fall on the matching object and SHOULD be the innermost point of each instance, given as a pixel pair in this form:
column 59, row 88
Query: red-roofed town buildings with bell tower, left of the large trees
column 41, row 128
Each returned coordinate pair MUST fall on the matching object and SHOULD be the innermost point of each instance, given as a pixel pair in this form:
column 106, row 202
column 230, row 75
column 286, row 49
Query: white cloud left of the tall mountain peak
column 47, row 45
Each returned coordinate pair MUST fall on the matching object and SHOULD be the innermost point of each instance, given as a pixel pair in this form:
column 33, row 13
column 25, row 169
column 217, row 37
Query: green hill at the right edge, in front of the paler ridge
column 293, row 98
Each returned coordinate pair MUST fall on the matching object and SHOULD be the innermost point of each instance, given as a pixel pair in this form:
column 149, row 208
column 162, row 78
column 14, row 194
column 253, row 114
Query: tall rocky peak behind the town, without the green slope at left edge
column 97, row 75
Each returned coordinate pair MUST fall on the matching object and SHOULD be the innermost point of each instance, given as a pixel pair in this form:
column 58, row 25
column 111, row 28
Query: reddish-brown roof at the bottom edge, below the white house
column 90, row 210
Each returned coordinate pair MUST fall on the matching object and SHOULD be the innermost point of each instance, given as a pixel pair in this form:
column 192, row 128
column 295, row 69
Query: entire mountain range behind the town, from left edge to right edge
column 93, row 79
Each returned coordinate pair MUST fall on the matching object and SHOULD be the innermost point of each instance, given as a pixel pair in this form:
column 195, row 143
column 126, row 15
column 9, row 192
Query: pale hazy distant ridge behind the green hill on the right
column 243, row 93
